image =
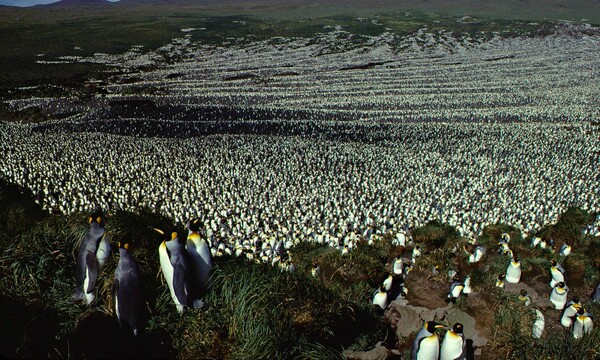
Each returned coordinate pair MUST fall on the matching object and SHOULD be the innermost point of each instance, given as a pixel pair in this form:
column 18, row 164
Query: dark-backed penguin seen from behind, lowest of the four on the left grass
column 128, row 291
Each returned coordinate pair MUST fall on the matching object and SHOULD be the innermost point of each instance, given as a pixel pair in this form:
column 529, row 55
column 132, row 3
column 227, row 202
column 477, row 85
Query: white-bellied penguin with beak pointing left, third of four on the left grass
column 175, row 267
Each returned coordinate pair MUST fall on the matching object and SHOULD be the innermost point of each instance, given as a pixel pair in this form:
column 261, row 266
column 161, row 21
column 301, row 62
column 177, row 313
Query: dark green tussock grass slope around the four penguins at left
column 254, row 310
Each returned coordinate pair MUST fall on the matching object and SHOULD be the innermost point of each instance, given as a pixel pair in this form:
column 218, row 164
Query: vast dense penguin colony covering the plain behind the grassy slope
column 348, row 151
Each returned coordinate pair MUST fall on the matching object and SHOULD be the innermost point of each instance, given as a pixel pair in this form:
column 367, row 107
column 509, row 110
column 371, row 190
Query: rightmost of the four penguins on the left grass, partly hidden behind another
column 201, row 261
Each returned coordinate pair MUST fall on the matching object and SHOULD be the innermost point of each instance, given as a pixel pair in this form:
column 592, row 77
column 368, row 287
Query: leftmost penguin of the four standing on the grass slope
column 91, row 255
